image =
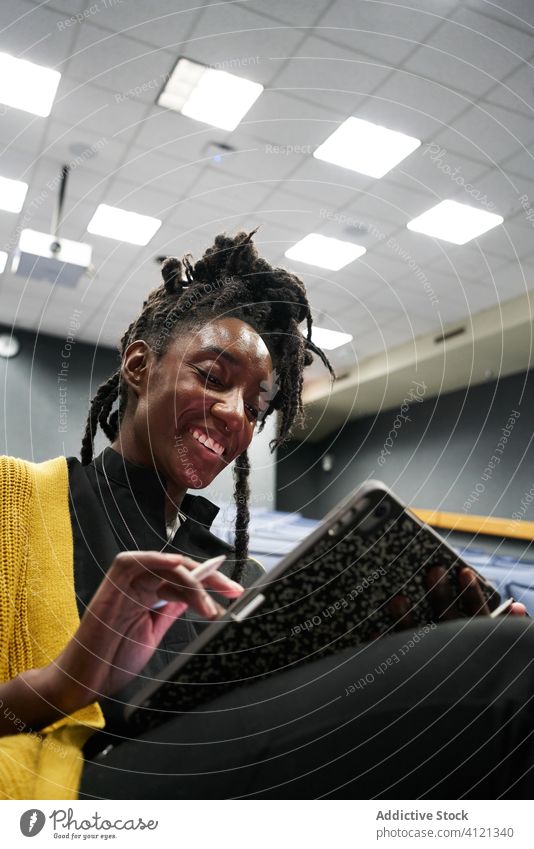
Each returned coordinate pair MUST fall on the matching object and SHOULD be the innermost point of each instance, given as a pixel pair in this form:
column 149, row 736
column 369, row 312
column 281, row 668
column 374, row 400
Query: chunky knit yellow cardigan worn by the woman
column 38, row 616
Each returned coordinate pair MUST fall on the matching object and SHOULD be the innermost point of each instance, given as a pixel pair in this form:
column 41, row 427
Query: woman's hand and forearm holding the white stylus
column 120, row 629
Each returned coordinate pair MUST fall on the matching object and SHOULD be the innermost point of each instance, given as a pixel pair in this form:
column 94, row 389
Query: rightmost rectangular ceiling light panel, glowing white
column 454, row 222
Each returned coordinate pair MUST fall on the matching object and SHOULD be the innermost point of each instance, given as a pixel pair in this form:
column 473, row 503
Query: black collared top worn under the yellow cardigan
column 118, row 506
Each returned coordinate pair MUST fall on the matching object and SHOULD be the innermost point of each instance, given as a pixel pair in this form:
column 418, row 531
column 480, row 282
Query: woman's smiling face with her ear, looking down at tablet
column 197, row 405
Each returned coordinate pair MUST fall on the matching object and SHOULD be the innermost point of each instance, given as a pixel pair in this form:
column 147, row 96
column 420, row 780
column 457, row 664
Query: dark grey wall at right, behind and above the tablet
column 440, row 454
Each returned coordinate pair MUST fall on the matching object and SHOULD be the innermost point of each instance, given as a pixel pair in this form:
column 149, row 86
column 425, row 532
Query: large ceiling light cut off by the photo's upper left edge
column 27, row 86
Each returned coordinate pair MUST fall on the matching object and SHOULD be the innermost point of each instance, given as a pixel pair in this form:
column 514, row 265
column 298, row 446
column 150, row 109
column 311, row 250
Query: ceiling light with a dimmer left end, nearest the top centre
column 208, row 95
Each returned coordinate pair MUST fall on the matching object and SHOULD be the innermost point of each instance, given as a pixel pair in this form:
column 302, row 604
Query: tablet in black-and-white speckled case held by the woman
column 329, row 593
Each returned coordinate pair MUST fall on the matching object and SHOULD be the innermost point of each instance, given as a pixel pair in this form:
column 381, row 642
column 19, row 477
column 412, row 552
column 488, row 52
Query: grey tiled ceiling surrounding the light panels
column 457, row 75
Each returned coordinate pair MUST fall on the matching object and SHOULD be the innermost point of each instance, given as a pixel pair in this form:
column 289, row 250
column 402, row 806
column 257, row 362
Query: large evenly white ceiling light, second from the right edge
column 366, row 148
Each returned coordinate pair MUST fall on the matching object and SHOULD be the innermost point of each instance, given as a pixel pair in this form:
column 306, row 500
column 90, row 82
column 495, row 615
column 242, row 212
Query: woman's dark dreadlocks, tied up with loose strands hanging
column 230, row 280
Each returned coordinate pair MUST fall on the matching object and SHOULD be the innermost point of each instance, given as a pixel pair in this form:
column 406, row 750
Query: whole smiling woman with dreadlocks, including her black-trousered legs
column 115, row 541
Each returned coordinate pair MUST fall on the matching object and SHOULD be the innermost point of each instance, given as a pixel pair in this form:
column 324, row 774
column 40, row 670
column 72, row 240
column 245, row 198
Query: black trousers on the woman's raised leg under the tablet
column 447, row 715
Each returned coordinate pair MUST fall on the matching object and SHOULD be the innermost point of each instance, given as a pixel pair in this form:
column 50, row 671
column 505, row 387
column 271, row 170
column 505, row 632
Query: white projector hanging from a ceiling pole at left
column 49, row 257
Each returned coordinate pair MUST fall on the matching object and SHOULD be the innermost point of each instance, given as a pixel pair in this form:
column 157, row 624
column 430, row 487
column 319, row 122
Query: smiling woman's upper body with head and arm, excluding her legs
column 111, row 539
